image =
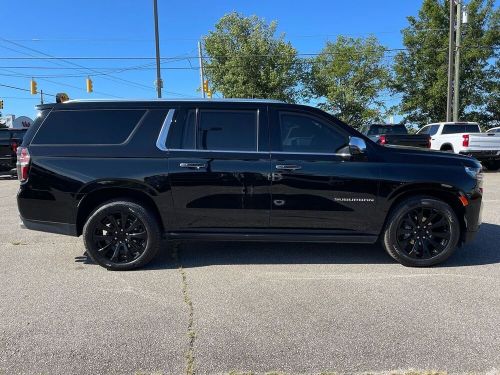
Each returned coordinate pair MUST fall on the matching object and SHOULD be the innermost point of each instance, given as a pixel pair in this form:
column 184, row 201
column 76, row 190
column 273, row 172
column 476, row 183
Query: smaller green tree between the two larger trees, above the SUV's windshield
column 348, row 77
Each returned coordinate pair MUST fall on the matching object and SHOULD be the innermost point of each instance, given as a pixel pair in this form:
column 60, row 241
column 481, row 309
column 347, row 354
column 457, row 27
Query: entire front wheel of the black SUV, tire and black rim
column 421, row 232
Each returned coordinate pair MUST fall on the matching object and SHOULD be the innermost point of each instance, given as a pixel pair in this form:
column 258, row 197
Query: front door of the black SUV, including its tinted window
column 316, row 186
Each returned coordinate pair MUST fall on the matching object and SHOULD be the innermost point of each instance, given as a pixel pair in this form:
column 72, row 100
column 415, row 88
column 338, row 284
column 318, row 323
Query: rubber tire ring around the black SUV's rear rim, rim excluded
column 152, row 230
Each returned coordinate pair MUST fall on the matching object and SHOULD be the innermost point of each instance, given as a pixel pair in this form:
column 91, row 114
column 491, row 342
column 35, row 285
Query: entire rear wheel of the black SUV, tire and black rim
column 122, row 235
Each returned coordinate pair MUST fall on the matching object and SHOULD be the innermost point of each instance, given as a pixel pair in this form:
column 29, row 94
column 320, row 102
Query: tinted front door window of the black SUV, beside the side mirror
column 302, row 133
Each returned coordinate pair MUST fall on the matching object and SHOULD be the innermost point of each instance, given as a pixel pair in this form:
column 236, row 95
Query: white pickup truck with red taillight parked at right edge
column 465, row 138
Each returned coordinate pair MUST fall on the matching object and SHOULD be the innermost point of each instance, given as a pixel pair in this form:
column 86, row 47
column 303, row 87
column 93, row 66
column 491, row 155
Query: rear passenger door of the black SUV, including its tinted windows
column 219, row 165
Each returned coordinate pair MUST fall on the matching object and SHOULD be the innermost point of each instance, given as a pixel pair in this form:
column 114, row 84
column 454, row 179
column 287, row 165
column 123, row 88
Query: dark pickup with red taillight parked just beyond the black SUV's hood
column 396, row 134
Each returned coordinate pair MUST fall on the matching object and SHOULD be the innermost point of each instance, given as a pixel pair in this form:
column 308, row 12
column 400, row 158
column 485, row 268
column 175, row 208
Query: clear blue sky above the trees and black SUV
column 112, row 37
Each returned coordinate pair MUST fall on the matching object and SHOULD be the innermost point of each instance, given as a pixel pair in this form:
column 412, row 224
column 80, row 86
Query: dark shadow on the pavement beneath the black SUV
column 482, row 250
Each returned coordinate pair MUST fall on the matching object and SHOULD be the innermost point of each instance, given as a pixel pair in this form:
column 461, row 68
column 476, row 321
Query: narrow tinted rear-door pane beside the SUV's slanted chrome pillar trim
column 182, row 130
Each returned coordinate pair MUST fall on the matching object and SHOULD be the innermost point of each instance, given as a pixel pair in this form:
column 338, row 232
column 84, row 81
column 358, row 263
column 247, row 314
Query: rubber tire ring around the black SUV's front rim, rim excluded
column 390, row 237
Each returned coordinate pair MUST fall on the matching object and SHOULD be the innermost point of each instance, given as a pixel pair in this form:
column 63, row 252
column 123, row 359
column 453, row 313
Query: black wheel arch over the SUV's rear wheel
column 95, row 198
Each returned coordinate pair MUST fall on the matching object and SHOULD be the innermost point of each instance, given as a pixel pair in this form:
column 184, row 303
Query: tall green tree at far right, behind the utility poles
column 421, row 70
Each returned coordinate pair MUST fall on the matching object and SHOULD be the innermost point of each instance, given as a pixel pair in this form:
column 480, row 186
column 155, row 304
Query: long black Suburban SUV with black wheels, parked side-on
column 126, row 174
